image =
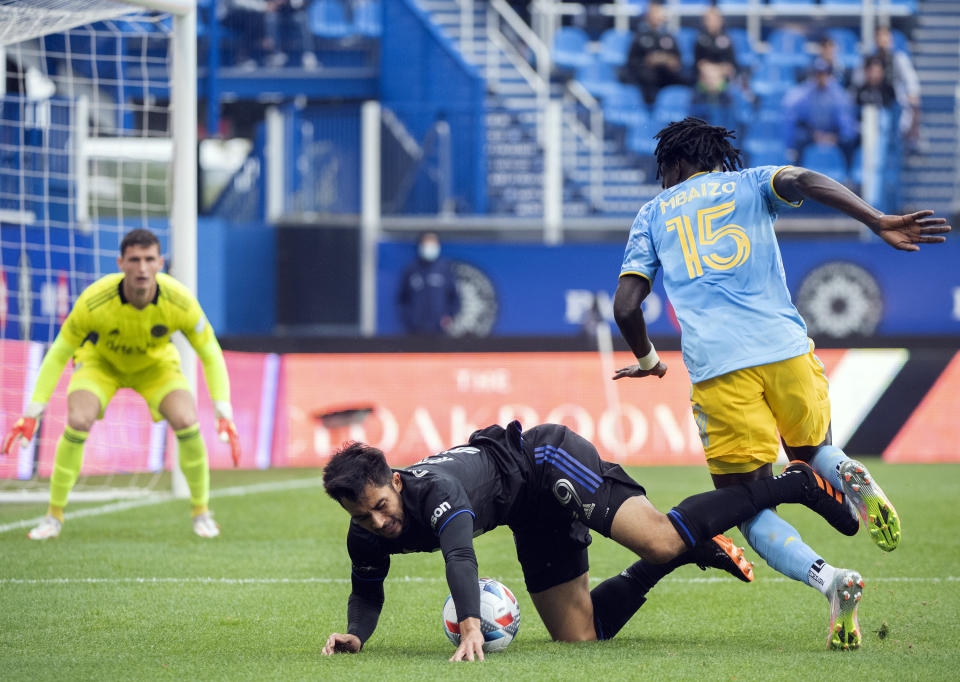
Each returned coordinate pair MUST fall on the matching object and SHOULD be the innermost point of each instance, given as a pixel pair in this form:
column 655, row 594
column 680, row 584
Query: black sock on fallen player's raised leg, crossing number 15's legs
column 700, row 517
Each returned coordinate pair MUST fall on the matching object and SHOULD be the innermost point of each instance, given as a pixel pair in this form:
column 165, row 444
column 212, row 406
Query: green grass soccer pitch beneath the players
column 134, row 595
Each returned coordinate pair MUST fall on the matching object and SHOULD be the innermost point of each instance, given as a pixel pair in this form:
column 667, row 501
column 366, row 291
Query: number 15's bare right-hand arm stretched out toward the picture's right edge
column 902, row 232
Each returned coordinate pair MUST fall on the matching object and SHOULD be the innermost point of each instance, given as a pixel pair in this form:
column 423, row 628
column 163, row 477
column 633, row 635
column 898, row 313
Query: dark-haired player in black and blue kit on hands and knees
column 549, row 485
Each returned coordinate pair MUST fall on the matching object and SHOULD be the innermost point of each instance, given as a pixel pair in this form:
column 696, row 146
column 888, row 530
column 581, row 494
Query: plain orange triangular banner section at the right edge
column 932, row 432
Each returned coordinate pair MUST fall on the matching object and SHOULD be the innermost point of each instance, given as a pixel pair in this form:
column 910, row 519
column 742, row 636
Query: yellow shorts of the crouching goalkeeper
column 103, row 379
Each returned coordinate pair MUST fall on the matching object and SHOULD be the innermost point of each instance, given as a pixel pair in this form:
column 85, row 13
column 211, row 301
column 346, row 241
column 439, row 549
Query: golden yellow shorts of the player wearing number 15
column 740, row 413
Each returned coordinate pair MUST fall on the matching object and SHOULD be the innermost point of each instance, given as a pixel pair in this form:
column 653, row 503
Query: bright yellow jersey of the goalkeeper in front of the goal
column 105, row 326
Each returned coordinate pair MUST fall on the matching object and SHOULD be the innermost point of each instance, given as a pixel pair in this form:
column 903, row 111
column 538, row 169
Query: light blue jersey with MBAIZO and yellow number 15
column 712, row 235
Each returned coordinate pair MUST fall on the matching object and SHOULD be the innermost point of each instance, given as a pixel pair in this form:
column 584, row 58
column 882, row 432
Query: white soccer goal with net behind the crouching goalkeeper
column 118, row 174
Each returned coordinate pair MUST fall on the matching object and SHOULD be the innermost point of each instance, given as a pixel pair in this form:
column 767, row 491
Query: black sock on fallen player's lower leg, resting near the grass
column 616, row 599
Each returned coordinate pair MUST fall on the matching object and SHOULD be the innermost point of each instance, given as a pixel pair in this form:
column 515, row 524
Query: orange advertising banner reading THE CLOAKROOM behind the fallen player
column 422, row 404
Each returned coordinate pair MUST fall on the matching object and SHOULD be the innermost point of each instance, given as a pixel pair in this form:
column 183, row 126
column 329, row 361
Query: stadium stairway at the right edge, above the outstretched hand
column 930, row 171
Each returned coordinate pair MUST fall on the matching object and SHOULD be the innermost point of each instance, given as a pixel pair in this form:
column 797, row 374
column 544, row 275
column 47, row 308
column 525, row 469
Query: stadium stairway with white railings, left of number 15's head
column 514, row 156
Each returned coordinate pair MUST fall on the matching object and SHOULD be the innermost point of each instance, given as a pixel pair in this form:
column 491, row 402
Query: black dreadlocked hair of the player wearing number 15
column 698, row 143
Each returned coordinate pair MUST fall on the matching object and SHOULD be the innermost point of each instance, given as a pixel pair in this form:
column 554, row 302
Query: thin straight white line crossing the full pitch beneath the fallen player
column 392, row 579
